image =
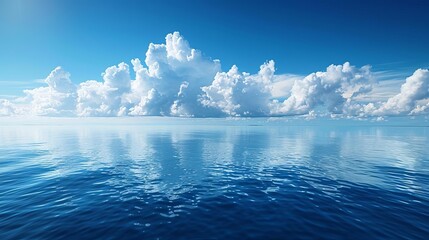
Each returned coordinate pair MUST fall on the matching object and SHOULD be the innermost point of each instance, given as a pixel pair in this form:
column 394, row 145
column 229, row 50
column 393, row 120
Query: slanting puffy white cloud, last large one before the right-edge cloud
column 331, row 89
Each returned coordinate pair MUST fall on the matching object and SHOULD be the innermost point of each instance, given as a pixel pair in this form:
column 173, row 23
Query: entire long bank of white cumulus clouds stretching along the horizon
column 177, row 80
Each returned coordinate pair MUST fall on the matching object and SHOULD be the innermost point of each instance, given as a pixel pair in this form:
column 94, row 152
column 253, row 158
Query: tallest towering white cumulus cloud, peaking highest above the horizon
column 171, row 83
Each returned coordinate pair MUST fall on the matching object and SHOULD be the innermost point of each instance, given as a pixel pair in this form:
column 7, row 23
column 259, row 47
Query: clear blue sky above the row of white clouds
column 86, row 37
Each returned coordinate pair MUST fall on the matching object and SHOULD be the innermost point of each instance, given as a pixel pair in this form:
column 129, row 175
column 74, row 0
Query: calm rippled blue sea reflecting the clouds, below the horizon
column 218, row 180
